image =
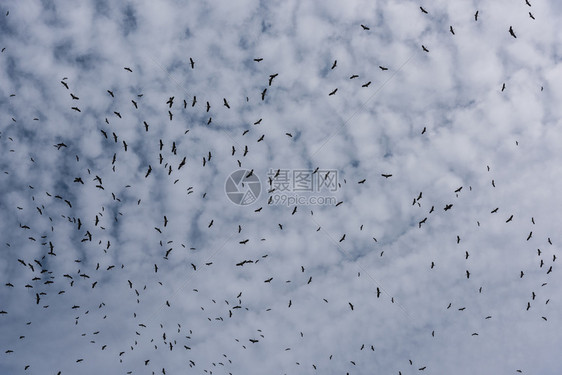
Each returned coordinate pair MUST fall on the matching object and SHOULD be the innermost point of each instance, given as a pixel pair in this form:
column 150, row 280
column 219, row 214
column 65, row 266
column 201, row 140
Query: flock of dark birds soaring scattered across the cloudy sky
column 47, row 288
